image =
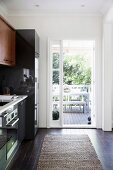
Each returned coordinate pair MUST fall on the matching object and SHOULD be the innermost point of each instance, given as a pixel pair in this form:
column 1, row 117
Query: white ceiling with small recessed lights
column 69, row 6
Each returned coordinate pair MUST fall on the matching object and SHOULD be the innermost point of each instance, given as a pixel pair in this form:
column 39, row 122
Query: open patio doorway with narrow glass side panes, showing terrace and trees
column 71, row 83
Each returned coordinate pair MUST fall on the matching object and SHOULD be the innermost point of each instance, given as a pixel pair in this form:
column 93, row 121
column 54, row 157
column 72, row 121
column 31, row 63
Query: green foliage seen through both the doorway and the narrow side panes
column 76, row 70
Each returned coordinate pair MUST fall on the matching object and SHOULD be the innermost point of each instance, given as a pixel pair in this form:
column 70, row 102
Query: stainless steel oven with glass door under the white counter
column 9, row 121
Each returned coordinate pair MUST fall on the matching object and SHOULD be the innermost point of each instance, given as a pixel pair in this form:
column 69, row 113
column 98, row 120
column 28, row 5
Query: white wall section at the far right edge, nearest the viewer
column 107, row 77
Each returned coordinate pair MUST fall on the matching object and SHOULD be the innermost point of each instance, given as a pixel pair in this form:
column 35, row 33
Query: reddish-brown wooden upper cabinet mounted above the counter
column 7, row 44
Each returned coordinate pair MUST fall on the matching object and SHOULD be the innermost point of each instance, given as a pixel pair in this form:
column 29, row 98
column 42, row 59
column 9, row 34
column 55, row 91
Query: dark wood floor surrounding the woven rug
column 28, row 154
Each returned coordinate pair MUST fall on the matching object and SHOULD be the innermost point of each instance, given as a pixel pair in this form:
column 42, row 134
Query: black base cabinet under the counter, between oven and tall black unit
column 21, row 124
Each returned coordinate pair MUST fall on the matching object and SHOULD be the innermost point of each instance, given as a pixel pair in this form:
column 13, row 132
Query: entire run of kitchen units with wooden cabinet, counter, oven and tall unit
column 19, row 57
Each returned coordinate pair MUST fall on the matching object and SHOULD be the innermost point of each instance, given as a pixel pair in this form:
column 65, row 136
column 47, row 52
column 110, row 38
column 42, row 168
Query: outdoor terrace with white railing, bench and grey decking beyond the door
column 76, row 103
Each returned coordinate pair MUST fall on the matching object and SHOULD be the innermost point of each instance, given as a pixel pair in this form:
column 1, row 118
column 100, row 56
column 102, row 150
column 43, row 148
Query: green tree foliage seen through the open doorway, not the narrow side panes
column 76, row 70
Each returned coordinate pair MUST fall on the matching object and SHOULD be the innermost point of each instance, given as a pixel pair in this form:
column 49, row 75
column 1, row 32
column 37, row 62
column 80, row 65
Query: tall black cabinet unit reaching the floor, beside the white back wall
column 27, row 55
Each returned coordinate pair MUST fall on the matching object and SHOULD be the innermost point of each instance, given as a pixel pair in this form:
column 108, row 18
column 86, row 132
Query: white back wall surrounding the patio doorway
column 67, row 27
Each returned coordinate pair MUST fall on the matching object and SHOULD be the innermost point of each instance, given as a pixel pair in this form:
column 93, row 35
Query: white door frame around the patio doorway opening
column 98, row 96
